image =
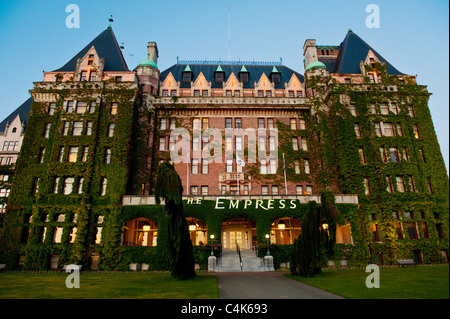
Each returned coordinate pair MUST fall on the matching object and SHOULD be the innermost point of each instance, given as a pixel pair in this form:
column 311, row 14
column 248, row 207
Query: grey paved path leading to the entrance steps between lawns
column 266, row 285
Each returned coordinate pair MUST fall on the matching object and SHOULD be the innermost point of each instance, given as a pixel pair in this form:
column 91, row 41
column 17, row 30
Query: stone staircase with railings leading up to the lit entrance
column 229, row 262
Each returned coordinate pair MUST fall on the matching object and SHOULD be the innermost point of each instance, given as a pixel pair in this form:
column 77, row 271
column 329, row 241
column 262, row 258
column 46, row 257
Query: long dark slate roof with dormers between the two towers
column 255, row 72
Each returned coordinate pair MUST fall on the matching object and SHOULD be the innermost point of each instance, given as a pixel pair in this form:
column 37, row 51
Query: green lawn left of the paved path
column 106, row 286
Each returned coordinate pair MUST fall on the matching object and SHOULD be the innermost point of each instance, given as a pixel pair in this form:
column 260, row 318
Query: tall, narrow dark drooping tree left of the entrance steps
column 169, row 188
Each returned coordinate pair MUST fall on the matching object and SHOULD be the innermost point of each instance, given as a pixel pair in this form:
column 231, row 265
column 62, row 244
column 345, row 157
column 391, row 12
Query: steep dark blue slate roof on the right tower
column 353, row 50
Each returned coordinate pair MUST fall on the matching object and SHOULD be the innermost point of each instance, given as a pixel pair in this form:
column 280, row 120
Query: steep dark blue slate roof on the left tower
column 107, row 47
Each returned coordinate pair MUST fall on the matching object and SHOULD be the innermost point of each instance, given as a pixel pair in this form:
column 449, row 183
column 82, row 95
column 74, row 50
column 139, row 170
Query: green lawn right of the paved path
column 422, row 282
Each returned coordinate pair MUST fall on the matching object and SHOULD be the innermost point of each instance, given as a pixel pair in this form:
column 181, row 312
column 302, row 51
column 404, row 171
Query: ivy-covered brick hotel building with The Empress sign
column 83, row 186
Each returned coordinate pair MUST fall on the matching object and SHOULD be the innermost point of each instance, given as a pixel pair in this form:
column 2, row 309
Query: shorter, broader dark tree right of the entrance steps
column 318, row 238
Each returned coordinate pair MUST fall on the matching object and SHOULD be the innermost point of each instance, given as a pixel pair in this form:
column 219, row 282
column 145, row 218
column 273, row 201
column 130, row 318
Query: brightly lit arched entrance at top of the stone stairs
column 240, row 231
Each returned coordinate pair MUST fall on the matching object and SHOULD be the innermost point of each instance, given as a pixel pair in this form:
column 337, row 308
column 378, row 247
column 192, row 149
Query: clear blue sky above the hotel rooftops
column 413, row 36
